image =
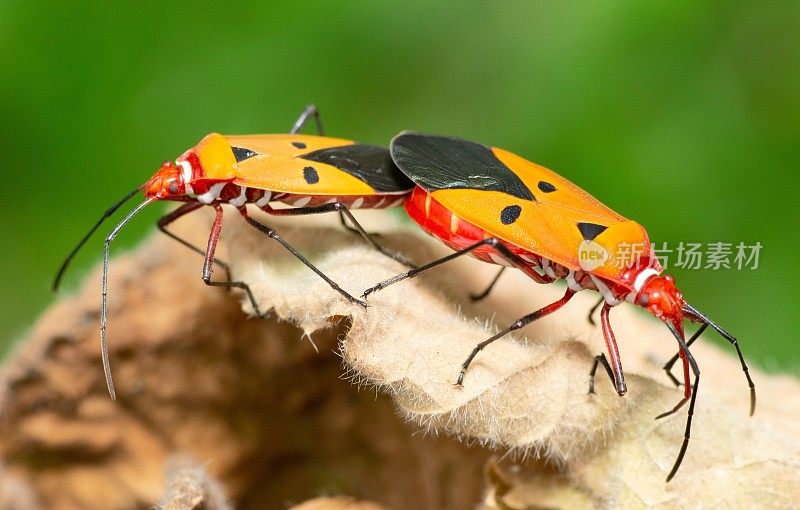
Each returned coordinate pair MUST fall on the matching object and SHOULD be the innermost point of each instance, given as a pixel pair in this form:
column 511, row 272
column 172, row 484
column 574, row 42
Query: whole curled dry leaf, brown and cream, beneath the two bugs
column 270, row 419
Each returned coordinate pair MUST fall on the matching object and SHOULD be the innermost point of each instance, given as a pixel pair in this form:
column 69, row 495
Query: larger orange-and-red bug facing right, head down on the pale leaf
column 500, row 208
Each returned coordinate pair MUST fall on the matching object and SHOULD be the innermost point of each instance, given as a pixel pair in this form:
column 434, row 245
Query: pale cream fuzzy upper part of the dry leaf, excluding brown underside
column 531, row 399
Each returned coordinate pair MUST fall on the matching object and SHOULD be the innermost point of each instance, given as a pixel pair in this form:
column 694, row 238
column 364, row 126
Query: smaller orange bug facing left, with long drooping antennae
column 314, row 174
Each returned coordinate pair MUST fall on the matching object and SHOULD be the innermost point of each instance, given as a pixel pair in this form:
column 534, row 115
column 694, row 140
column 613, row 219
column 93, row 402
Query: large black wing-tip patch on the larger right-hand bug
column 441, row 162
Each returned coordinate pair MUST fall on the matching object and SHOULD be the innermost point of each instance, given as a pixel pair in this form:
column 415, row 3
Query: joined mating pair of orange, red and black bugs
column 480, row 201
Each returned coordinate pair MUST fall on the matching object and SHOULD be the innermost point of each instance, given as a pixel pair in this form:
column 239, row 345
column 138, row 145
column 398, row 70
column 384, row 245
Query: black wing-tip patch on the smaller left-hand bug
column 369, row 163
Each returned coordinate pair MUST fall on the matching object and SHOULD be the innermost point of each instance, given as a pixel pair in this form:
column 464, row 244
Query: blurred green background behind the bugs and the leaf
column 682, row 115
